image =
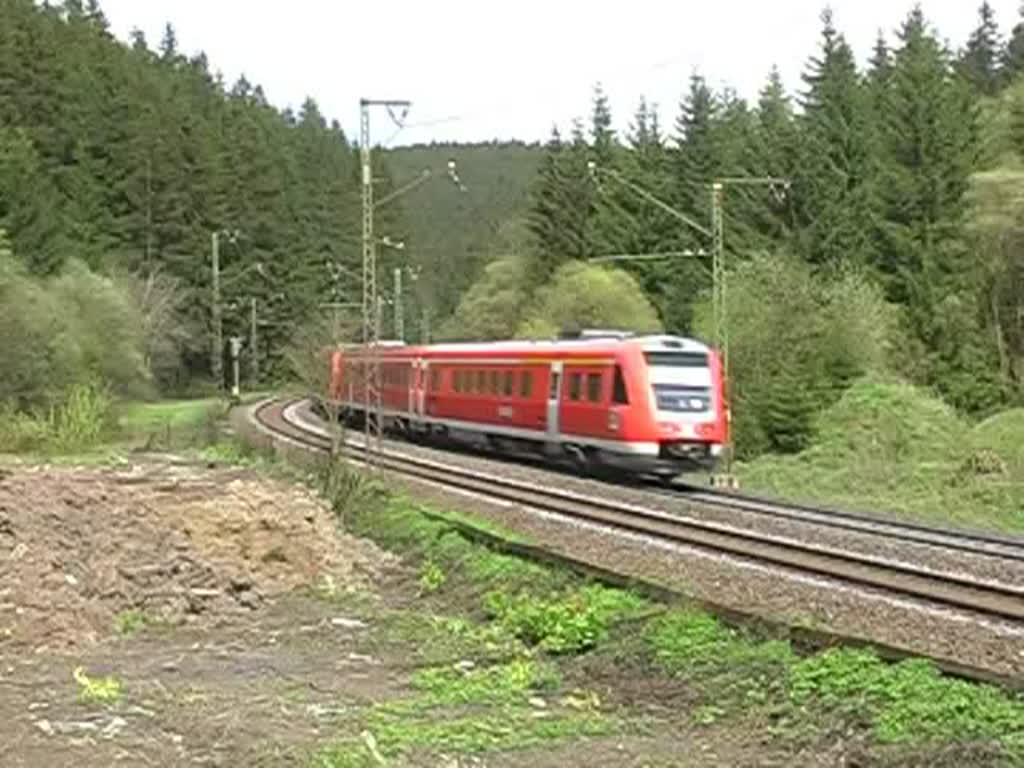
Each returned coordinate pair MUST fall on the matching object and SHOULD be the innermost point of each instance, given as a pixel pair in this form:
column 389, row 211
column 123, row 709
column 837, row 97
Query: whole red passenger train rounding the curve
column 651, row 405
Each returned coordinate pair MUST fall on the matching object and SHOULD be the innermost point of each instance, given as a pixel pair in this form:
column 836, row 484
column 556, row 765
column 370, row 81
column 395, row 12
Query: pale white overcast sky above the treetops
column 478, row 70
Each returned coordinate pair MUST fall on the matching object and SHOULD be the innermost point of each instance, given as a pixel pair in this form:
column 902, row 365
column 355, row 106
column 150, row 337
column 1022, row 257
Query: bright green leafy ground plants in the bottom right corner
column 911, row 701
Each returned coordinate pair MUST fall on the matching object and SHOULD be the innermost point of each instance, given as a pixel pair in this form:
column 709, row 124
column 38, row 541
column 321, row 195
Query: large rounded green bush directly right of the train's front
column 797, row 342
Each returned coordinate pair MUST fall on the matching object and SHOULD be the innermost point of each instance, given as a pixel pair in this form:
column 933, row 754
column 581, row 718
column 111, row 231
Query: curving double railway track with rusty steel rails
column 986, row 599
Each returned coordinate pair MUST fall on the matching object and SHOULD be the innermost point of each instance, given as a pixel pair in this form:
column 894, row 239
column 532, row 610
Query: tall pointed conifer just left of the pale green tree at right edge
column 931, row 149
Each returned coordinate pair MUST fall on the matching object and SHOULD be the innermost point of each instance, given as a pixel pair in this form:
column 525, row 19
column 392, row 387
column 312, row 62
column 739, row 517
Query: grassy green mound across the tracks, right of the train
column 897, row 449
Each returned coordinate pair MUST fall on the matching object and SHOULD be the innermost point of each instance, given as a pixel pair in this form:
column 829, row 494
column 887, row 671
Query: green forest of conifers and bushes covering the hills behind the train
column 889, row 242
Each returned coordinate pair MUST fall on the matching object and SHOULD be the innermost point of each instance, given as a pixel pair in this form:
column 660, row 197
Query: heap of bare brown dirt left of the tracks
column 172, row 543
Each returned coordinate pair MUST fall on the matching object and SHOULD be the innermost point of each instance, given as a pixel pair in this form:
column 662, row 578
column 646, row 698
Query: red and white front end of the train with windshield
column 687, row 413
